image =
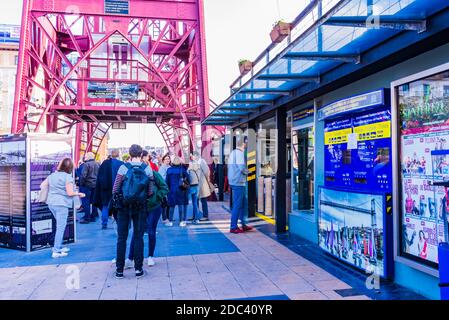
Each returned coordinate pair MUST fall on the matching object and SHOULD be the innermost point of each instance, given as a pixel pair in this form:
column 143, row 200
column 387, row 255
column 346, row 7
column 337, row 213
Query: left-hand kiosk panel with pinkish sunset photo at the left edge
column 13, row 192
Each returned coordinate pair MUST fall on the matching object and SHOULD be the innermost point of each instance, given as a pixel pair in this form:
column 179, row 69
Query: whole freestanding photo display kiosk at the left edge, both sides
column 26, row 160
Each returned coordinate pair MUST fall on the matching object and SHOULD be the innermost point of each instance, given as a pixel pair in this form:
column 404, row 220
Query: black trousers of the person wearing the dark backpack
column 138, row 218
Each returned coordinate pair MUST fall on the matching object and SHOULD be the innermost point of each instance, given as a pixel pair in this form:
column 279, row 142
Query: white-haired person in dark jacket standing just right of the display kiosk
column 88, row 181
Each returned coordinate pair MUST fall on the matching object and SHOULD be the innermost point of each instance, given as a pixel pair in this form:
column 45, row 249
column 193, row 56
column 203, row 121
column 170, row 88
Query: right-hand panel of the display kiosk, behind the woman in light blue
column 45, row 157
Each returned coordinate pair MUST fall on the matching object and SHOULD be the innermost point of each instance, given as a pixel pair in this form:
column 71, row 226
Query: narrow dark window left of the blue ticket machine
column 303, row 148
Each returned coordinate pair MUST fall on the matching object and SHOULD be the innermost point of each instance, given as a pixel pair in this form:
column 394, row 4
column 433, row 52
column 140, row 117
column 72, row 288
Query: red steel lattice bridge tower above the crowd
column 85, row 65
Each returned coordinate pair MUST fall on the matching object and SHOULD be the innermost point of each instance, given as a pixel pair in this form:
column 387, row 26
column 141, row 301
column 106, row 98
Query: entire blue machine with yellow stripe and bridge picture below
column 355, row 202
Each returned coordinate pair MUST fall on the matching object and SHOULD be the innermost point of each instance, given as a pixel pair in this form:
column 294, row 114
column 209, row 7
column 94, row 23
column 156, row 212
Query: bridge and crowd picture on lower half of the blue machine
column 351, row 228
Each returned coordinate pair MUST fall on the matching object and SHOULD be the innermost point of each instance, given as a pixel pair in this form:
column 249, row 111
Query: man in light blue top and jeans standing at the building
column 237, row 176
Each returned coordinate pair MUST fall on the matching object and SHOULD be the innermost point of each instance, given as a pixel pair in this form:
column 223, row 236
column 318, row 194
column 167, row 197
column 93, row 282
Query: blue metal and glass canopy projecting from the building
column 327, row 35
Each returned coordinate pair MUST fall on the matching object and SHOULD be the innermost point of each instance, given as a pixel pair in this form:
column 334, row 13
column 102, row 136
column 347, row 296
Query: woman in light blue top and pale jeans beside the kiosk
column 61, row 191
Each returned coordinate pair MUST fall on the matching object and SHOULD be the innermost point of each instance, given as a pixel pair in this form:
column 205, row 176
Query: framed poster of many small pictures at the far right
column 424, row 127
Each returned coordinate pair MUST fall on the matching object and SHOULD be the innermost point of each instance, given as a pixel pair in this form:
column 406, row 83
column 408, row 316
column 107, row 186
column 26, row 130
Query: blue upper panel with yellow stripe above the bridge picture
column 357, row 151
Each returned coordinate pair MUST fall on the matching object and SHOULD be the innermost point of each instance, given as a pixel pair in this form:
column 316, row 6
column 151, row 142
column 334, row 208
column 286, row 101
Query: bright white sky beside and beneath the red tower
column 235, row 29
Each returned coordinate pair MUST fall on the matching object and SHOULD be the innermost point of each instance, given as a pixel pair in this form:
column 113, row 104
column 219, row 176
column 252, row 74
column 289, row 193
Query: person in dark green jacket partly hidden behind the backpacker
column 155, row 208
